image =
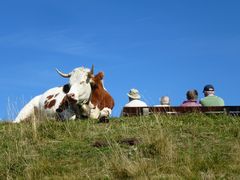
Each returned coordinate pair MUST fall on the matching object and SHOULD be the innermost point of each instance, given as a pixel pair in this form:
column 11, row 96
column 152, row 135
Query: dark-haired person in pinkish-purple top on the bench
column 192, row 96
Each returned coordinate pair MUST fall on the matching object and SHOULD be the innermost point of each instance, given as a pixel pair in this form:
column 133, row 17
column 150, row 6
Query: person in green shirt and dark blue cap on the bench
column 210, row 98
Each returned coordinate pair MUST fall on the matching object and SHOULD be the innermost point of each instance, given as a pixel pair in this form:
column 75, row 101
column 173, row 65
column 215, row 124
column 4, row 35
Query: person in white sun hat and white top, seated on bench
column 134, row 99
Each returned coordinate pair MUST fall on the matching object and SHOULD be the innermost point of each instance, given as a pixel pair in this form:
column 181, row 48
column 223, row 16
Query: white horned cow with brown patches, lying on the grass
column 78, row 91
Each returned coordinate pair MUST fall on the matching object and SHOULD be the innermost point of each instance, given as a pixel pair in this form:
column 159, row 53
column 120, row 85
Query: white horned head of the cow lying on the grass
column 79, row 88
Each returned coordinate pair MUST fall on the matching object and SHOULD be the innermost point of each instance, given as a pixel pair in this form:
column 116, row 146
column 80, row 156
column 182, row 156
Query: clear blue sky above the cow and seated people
column 159, row 47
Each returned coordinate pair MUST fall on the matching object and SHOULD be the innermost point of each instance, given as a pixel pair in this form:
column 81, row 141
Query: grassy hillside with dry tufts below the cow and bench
column 192, row 146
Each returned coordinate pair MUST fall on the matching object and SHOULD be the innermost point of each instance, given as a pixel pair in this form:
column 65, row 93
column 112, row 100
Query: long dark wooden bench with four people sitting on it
column 139, row 111
